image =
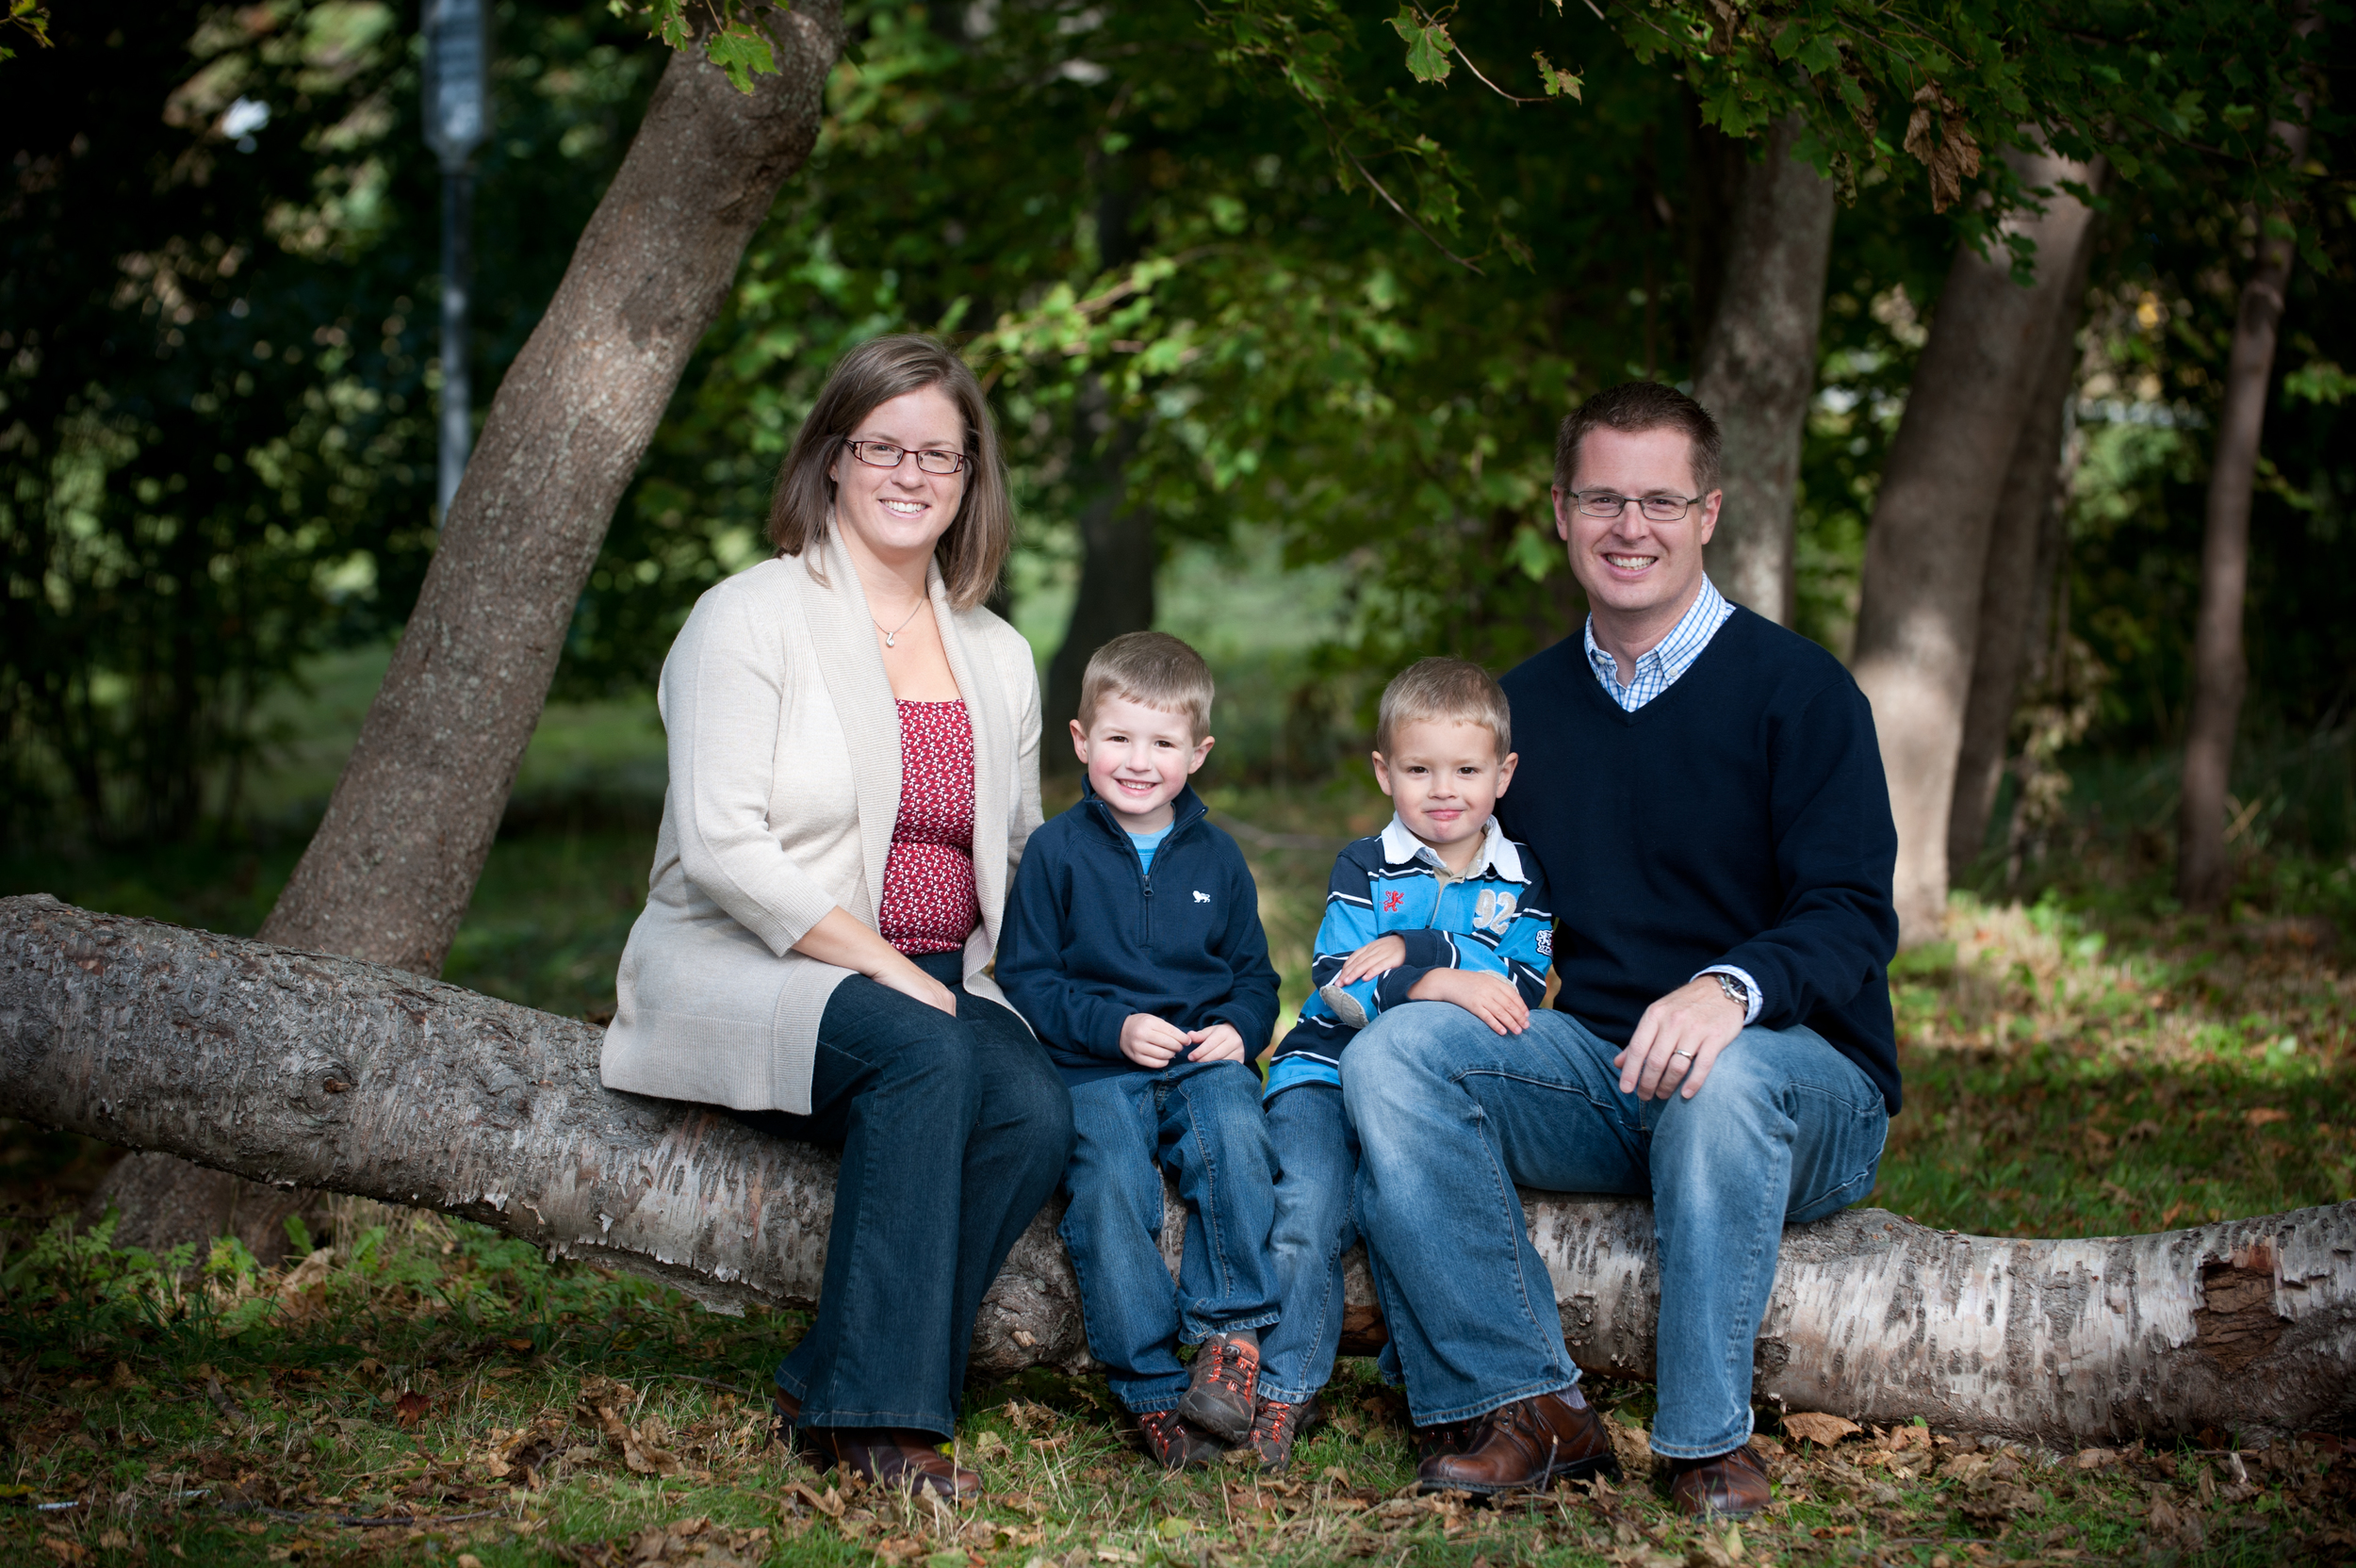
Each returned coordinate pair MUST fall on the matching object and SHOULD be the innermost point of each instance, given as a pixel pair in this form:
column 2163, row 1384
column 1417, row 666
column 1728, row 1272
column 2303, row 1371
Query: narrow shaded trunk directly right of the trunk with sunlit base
column 2018, row 554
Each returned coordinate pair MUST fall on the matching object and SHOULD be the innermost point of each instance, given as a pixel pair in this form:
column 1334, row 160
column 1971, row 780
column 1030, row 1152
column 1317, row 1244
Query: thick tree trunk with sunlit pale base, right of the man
column 1928, row 543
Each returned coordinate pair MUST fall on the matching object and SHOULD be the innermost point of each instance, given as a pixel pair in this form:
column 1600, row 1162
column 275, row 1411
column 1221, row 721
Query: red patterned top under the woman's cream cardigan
column 929, row 903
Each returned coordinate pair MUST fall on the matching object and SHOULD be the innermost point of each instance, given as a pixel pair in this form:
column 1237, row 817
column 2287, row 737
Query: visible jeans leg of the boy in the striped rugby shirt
column 1316, row 1174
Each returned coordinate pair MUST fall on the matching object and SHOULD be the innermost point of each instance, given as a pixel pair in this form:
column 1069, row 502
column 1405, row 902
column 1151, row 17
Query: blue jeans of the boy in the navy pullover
column 1203, row 1119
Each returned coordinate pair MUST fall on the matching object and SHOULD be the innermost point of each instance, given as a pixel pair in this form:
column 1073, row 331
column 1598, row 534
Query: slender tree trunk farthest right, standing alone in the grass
column 2221, row 672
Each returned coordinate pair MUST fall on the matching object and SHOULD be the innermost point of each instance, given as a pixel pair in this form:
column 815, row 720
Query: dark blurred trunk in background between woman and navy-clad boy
column 1118, row 543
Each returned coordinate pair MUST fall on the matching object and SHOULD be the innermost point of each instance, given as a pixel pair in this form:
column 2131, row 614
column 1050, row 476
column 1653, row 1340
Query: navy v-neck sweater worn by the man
column 1738, row 818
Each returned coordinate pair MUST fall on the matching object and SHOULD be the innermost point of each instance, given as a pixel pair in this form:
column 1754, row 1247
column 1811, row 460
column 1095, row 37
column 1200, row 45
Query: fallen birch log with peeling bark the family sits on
column 326, row 1072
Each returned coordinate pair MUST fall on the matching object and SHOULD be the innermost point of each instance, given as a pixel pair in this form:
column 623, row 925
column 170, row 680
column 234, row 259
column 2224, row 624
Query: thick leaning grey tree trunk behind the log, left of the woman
column 395, row 863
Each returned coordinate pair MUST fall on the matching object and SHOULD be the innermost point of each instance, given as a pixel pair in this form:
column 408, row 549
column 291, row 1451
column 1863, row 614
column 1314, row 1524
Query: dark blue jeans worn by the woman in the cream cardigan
column 953, row 1136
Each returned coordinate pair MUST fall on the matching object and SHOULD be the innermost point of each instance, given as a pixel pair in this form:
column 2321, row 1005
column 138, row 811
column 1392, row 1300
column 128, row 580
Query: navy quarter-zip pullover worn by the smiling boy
column 1090, row 938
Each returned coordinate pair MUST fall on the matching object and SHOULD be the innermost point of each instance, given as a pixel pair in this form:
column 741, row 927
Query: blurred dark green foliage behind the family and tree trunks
column 218, row 373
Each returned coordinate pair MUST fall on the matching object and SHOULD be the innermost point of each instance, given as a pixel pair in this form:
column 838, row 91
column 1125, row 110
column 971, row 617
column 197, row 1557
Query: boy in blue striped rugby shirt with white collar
column 1438, row 908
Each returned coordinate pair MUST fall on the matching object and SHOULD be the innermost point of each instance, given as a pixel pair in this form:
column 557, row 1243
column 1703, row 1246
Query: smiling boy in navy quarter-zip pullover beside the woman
column 1134, row 948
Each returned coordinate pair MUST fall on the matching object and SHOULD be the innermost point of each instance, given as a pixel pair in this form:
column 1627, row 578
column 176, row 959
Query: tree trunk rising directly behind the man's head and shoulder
column 1759, row 368
